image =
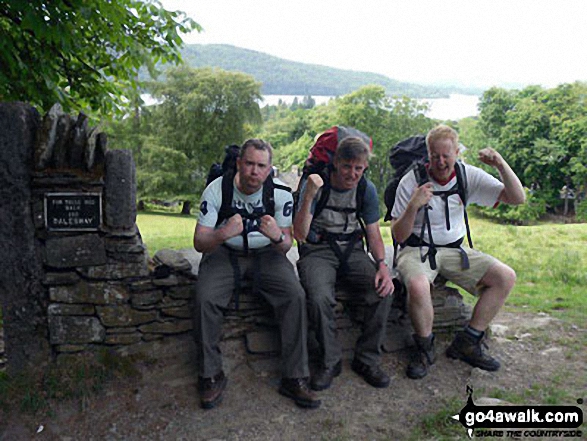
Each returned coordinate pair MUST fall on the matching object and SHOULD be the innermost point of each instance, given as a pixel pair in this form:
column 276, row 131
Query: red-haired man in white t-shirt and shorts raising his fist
column 485, row 276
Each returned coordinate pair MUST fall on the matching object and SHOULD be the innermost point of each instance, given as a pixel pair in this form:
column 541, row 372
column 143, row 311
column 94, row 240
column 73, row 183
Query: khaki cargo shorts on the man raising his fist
column 449, row 265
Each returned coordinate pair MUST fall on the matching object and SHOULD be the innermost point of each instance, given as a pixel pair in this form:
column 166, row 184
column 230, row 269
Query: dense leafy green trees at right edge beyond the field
column 541, row 133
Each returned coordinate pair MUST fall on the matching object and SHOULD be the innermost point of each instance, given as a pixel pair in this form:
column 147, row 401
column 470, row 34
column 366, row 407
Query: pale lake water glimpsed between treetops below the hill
column 455, row 107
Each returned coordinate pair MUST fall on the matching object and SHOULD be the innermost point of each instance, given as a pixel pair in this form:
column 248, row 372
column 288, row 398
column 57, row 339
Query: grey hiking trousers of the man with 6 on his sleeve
column 277, row 283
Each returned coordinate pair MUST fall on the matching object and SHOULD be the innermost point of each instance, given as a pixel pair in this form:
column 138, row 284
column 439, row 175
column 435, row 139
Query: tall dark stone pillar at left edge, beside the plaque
column 21, row 291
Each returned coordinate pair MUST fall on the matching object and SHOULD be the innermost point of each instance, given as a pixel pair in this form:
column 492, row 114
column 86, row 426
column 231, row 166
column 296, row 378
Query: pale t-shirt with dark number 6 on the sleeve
column 212, row 200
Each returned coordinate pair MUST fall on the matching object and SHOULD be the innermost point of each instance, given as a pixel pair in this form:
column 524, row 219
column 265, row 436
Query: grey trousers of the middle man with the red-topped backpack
column 318, row 270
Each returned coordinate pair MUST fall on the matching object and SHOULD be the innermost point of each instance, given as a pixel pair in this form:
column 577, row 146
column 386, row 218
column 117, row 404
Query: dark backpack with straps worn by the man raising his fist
column 411, row 155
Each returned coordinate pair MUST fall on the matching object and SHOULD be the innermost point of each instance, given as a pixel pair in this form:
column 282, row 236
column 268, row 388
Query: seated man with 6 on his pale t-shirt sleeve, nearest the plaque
column 249, row 241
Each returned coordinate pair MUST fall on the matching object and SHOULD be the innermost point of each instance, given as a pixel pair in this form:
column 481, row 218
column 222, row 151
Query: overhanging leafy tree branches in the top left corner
column 84, row 54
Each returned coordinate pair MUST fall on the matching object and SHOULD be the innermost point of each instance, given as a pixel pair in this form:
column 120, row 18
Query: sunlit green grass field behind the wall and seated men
column 549, row 259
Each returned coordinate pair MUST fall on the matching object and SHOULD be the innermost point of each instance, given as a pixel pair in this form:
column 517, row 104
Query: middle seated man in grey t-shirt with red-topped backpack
column 332, row 251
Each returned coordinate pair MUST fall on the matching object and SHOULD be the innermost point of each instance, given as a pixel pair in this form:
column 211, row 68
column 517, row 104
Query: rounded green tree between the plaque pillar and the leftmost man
column 200, row 111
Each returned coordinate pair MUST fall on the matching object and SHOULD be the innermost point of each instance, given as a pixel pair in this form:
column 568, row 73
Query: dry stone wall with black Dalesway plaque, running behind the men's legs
column 75, row 274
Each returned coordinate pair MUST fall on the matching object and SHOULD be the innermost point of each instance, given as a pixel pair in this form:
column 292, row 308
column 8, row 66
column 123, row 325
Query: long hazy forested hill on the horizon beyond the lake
column 284, row 77
